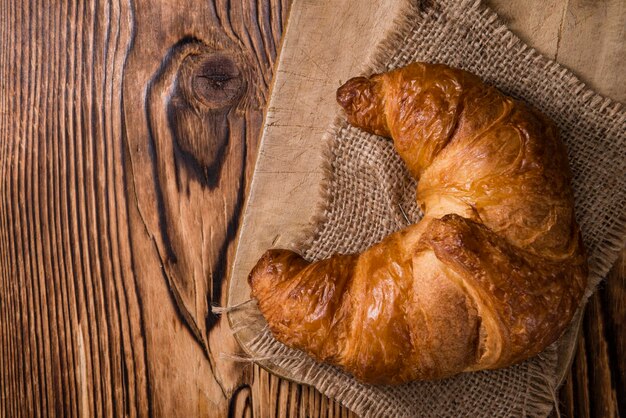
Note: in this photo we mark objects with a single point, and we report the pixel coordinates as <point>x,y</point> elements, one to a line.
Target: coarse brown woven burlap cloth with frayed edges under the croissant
<point>369,194</point>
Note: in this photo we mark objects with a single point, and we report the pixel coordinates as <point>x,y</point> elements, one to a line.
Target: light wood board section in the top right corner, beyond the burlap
<point>585,36</point>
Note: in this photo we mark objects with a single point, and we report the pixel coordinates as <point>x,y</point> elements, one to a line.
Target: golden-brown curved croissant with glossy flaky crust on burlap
<point>490,276</point>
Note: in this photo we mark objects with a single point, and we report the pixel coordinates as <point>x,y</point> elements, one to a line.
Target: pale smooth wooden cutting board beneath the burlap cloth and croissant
<point>283,199</point>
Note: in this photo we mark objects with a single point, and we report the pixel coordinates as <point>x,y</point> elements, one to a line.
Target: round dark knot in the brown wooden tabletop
<point>213,80</point>
